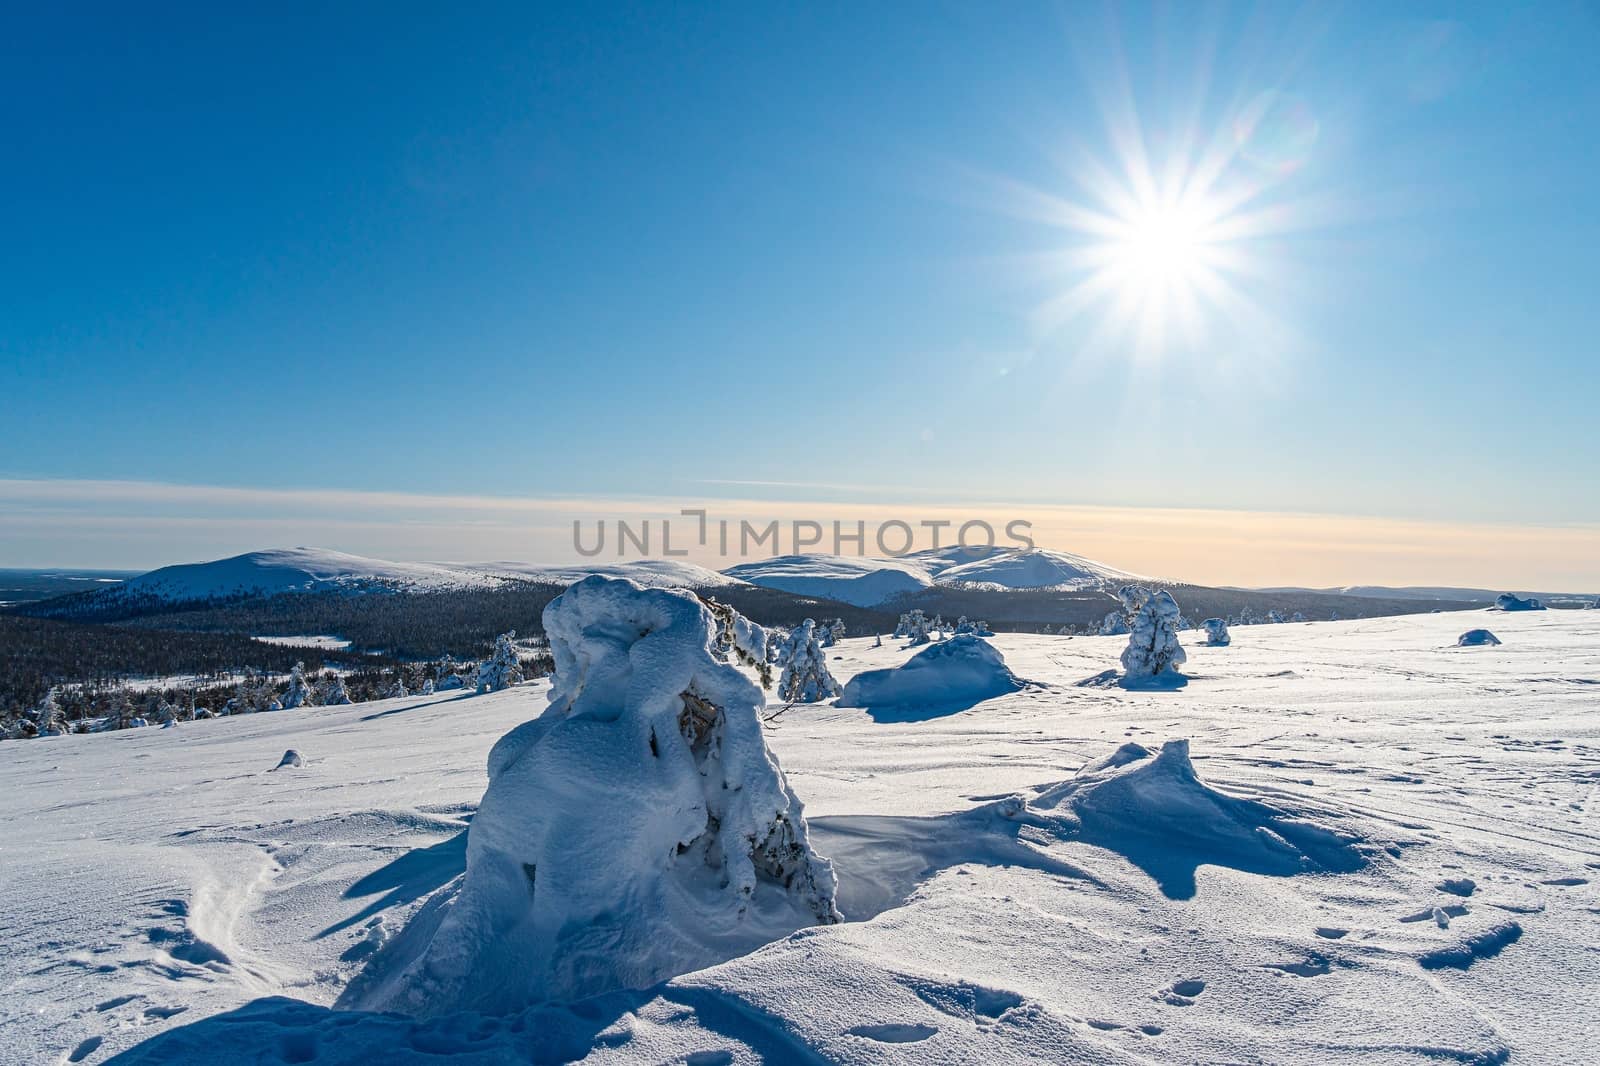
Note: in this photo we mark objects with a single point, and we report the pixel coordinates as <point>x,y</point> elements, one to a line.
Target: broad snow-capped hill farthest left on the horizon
<point>295,571</point>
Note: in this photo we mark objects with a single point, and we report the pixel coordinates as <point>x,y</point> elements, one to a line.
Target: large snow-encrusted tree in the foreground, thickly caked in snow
<point>636,830</point>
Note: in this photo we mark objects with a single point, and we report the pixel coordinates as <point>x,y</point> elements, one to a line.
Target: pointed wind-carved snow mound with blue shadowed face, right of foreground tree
<point>1156,811</point>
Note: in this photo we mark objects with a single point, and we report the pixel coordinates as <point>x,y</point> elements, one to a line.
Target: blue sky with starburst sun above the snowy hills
<point>1236,258</point>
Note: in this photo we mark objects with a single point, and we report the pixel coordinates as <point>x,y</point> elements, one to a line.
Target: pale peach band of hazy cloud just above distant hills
<point>175,524</point>
